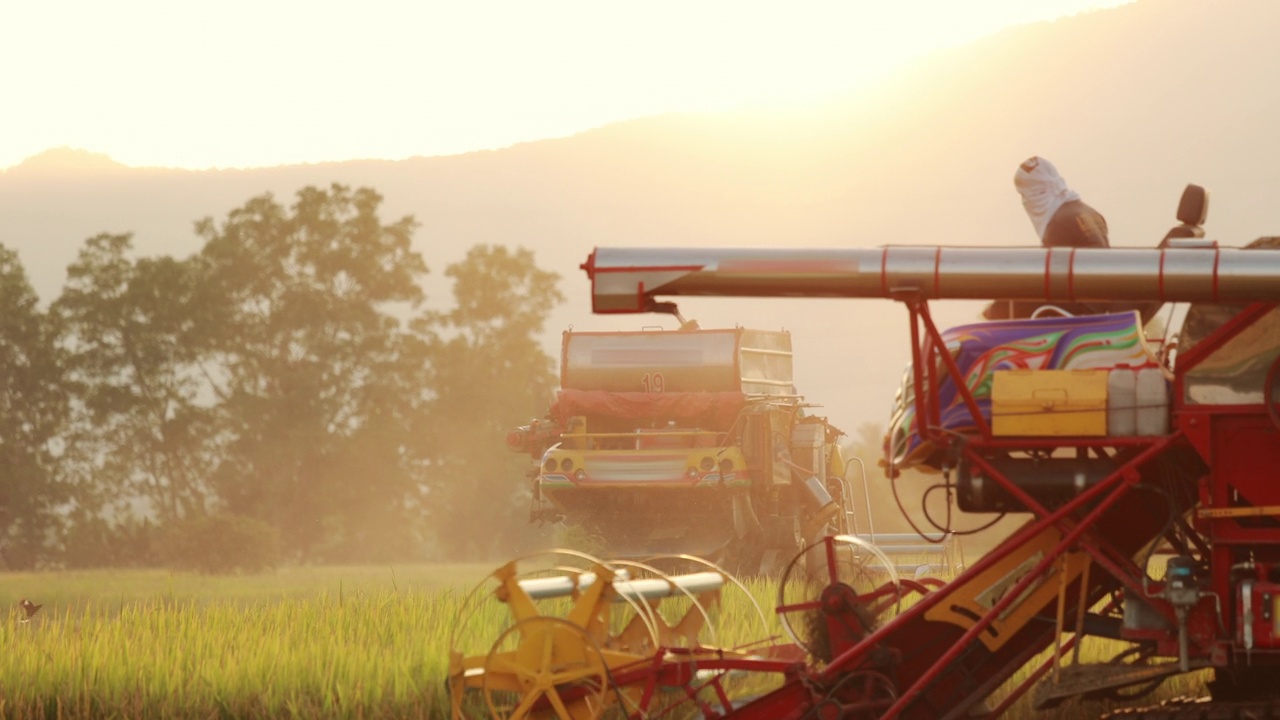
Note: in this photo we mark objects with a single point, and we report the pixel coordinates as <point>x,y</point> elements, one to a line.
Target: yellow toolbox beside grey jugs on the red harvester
<point>1049,403</point>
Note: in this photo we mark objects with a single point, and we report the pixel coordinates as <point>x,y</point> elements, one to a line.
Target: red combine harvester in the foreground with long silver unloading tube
<point>1151,479</point>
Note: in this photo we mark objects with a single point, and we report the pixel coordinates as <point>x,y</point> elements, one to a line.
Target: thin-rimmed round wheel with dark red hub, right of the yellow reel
<point>854,584</point>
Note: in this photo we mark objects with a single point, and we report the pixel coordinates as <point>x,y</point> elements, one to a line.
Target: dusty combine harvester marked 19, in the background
<point>689,441</point>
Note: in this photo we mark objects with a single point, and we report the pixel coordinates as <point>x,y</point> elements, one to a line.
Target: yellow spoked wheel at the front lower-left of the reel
<point>546,668</point>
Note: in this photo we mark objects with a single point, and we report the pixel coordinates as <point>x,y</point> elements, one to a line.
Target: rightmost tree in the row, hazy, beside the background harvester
<point>491,375</point>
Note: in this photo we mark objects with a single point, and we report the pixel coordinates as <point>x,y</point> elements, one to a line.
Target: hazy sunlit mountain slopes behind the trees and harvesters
<point>1131,104</point>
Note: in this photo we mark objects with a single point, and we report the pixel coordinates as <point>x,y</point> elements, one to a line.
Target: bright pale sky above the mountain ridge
<point>200,84</point>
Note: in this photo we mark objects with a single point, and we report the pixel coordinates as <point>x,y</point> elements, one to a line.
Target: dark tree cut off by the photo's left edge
<point>33,413</point>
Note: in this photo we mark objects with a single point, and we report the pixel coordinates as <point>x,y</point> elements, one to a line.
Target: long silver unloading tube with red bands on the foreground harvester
<point>627,280</point>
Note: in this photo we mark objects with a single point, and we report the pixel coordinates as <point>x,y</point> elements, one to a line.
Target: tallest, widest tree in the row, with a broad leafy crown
<point>317,381</point>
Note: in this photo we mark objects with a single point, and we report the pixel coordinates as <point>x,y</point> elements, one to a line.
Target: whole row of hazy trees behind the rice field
<point>282,395</point>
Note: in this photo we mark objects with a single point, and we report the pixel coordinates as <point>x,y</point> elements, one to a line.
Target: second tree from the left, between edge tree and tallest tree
<point>144,430</point>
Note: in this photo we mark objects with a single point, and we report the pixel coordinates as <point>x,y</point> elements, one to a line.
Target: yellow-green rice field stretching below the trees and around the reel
<point>327,642</point>
